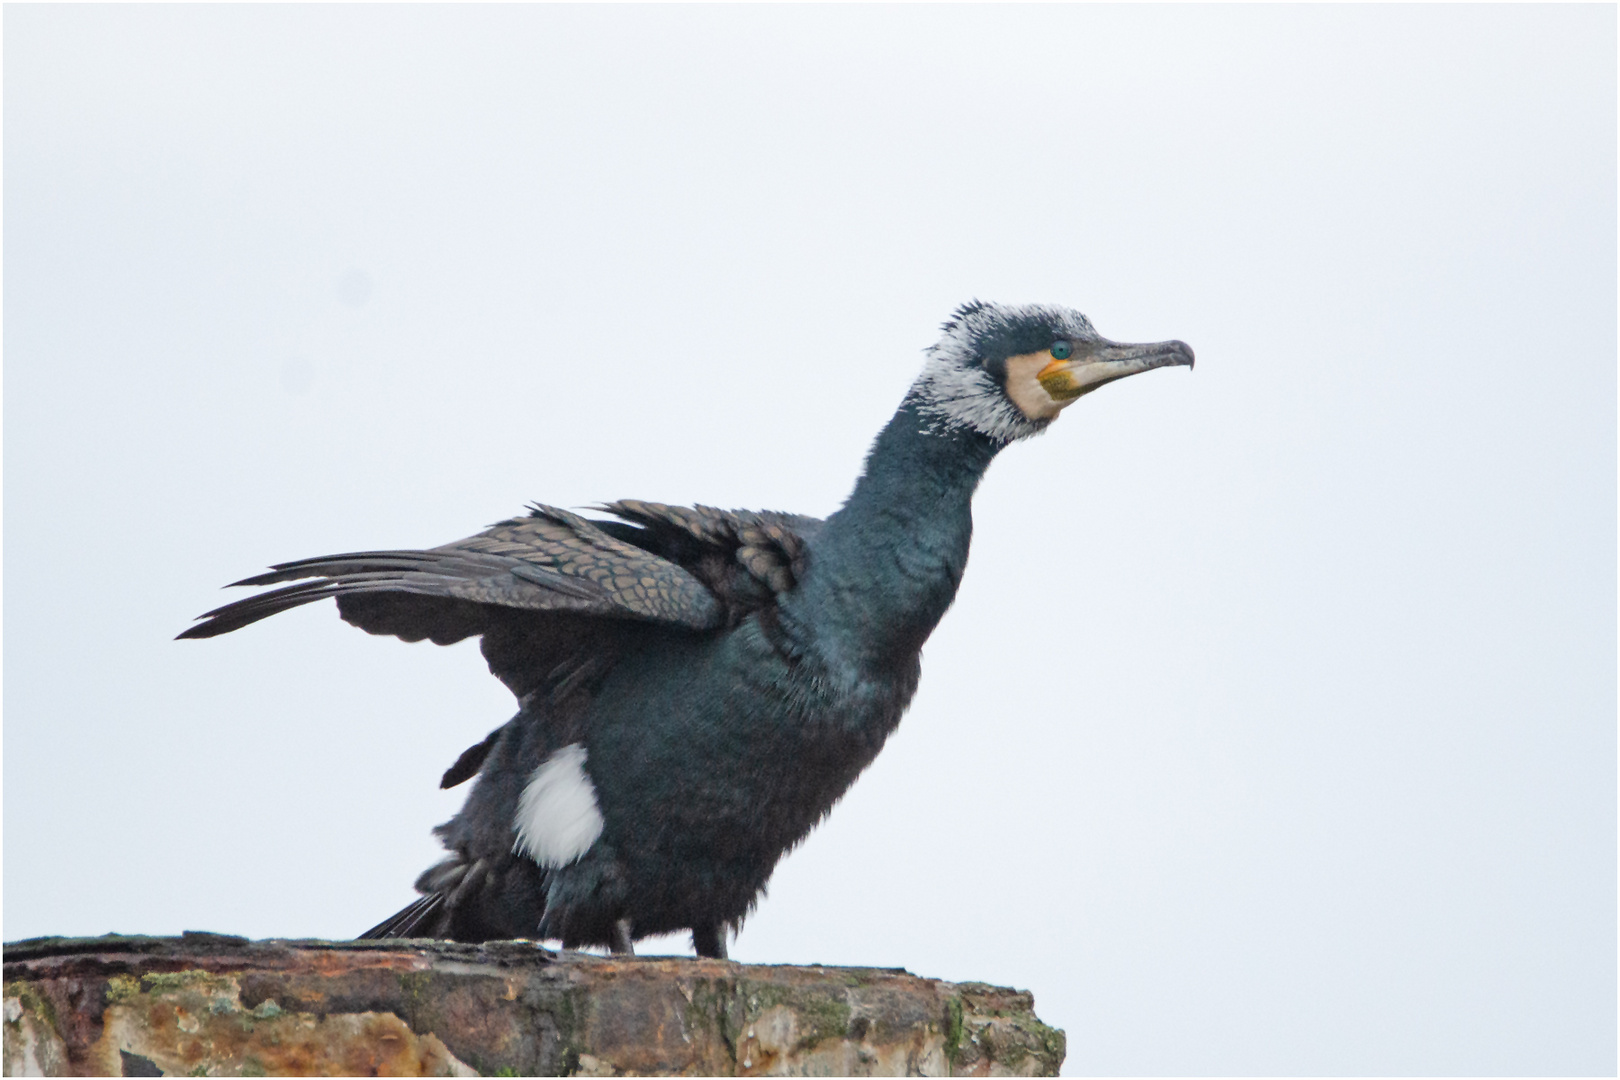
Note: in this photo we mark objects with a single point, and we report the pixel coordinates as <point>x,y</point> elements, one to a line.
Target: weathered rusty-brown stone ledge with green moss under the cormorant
<point>208,1005</point>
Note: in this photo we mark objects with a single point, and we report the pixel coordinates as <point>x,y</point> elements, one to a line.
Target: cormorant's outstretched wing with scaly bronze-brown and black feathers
<point>553,595</point>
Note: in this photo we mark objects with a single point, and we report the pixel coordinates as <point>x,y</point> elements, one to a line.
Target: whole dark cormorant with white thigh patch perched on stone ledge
<point>697,687</point>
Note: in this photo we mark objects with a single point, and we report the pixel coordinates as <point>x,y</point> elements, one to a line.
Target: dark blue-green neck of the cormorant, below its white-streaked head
<point>887,566</point>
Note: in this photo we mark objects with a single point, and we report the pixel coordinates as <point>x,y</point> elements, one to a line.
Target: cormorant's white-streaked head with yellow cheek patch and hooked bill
<point>1008,370</point>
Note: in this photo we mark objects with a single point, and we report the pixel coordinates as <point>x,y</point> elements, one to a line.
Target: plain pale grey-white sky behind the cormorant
<point>1274,729</point>
